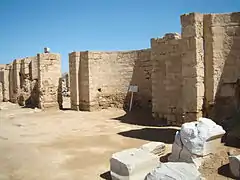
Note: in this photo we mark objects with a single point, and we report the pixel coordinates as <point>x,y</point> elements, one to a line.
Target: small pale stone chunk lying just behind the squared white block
<point>157,148</point>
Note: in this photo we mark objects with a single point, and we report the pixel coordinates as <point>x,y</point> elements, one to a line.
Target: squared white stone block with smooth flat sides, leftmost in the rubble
<point>132,164</point>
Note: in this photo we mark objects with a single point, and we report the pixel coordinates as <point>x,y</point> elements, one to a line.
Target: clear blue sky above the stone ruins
<point>27,26</point>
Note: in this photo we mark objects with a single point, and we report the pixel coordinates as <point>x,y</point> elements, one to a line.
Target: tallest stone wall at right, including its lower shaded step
<point>208,59</point>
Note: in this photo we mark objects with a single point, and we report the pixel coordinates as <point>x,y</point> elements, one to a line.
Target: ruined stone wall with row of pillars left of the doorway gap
<point>32,81</point>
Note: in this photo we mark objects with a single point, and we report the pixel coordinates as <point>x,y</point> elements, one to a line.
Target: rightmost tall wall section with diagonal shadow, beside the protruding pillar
<point>222,57</point>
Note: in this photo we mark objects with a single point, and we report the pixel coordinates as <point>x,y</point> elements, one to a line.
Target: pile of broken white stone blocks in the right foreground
<point>193,143</point>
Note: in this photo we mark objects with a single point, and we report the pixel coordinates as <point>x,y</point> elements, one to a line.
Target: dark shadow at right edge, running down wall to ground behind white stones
<point>225,110</point>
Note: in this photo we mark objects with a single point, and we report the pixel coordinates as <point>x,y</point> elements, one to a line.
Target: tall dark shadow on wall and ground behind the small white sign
<point>141,112</point>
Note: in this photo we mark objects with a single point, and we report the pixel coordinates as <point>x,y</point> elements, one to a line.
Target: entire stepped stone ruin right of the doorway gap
<point>181,77</point>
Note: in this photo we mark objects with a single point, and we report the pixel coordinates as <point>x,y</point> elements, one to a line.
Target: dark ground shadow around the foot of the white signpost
<point>140,117</point>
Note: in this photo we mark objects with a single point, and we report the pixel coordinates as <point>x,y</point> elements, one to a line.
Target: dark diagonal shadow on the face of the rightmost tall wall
<point>227,101</point>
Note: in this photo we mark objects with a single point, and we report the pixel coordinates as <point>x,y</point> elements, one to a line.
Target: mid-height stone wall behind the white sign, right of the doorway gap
<point>103,79</point>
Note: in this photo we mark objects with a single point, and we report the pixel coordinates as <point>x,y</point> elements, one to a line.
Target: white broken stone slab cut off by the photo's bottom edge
<point>174,171</point>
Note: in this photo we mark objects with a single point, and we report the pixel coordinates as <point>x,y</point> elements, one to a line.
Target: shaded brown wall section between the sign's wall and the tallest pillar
<point>167,78</point>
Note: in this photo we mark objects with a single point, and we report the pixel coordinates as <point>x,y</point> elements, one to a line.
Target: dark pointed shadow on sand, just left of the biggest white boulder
<point>165,135</point>
